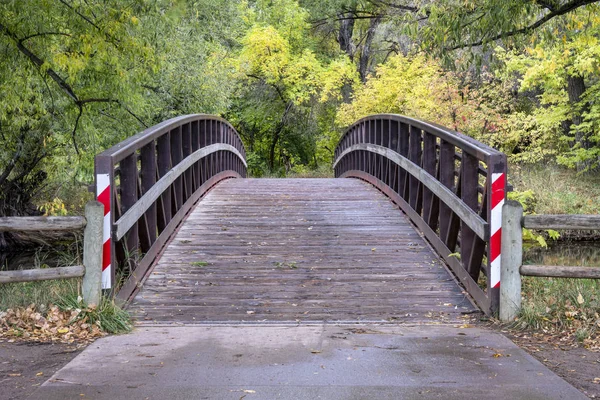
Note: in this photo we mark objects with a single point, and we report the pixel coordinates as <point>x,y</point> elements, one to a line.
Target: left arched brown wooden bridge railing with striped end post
<point>149,182</point>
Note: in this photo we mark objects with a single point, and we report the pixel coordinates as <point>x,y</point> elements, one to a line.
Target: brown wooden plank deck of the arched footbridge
<point>285,250</point>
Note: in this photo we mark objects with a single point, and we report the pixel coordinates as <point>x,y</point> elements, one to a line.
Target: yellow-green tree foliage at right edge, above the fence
<point>565,124</point>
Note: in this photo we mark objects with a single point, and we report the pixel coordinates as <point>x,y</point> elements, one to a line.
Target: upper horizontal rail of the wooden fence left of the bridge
<point>37,224</point>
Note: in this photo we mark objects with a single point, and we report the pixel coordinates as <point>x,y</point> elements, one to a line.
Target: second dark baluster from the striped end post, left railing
<point>148,230</point>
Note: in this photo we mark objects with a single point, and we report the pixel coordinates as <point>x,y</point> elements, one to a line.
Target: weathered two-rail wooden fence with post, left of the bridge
<point>91,270</point>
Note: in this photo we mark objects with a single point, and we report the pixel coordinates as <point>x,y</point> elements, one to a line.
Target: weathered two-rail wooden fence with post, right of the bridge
<point>513,222</point>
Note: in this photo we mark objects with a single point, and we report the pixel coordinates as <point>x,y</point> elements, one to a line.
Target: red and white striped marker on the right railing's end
<point>498,193</point>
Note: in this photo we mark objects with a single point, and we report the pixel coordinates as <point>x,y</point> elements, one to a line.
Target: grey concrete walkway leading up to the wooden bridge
<point>306,362</point>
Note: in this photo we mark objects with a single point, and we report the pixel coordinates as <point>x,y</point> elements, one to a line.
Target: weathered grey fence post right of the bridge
<point>512,258</point>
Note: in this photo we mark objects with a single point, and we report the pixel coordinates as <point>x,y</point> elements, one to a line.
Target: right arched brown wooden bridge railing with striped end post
<point>451,186</point>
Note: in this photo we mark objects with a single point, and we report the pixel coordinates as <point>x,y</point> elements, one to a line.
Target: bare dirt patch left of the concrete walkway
<point>25,366</point>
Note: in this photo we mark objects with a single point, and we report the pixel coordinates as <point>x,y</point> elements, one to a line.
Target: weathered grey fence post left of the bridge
<point>92,252</point>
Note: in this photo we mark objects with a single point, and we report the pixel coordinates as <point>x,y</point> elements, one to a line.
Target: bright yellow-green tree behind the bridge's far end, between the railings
<point>283,85</point>
